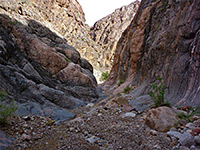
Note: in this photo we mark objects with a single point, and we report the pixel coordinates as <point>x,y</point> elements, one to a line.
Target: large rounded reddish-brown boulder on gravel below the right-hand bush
<point>161,118</point>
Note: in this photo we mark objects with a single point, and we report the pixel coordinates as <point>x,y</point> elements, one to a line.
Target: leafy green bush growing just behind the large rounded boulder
<point>158,93</point>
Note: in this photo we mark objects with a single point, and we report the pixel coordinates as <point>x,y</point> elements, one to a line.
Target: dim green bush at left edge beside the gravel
<point>6,110</point>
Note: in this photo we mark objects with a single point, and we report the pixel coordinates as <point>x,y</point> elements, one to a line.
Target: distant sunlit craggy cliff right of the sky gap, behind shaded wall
<point>107,31</point>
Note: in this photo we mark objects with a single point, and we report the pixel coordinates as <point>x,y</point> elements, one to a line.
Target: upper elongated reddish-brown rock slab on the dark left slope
<point>42,53</point>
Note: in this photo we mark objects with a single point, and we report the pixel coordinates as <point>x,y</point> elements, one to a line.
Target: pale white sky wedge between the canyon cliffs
<point>97,9</point>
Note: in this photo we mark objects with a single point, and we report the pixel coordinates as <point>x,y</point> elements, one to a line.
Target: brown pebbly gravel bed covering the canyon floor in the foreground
<point>96,127</point>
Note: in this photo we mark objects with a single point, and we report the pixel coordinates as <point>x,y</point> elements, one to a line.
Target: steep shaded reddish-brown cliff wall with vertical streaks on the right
<point>162,40</point>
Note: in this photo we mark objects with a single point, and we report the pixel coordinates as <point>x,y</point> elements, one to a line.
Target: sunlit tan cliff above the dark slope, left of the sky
<point>64,17</point>
